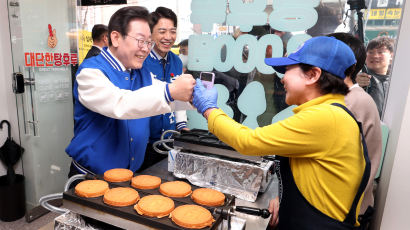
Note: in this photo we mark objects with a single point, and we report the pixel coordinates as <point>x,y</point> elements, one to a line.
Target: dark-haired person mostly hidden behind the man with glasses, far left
<point>99,35</point>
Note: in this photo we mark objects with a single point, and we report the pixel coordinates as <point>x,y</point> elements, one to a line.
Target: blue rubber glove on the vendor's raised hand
<point>204,98</point>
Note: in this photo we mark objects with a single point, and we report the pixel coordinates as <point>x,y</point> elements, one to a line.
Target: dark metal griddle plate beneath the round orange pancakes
<point>129,212</point>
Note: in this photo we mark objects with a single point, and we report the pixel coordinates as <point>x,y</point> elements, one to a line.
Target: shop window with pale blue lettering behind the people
<point>233,37</point>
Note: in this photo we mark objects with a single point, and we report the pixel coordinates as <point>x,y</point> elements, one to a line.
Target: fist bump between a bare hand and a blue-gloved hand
<point>184,88</point>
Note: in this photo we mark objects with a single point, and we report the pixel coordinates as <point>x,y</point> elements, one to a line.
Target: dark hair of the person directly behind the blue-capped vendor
<point>358,49</point>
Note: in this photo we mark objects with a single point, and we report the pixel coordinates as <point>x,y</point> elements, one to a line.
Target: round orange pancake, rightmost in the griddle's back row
<point>208,197</point>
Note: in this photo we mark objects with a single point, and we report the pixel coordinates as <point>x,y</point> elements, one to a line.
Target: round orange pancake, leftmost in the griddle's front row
<point>91,188</point>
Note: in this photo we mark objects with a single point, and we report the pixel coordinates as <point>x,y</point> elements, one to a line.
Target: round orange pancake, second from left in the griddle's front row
<point>121,196</point>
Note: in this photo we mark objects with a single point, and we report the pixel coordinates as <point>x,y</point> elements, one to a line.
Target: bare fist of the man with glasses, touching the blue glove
<point>181,89</point>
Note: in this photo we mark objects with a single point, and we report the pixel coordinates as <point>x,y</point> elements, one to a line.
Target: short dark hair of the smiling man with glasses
<point>120,20</point>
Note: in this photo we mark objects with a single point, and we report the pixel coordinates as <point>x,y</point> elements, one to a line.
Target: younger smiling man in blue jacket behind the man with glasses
<point>165,66</point>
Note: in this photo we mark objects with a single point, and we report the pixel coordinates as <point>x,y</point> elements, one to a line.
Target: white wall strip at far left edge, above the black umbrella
<point>7,100</point>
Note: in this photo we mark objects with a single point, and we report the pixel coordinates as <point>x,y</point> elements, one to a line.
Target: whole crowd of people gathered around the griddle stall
<point>131,88</point>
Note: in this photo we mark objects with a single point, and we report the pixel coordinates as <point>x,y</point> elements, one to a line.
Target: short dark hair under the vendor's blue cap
<point>329,83</point>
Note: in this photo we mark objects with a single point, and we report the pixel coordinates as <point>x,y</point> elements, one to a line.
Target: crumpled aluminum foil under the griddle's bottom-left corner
<point>71,221</point>
